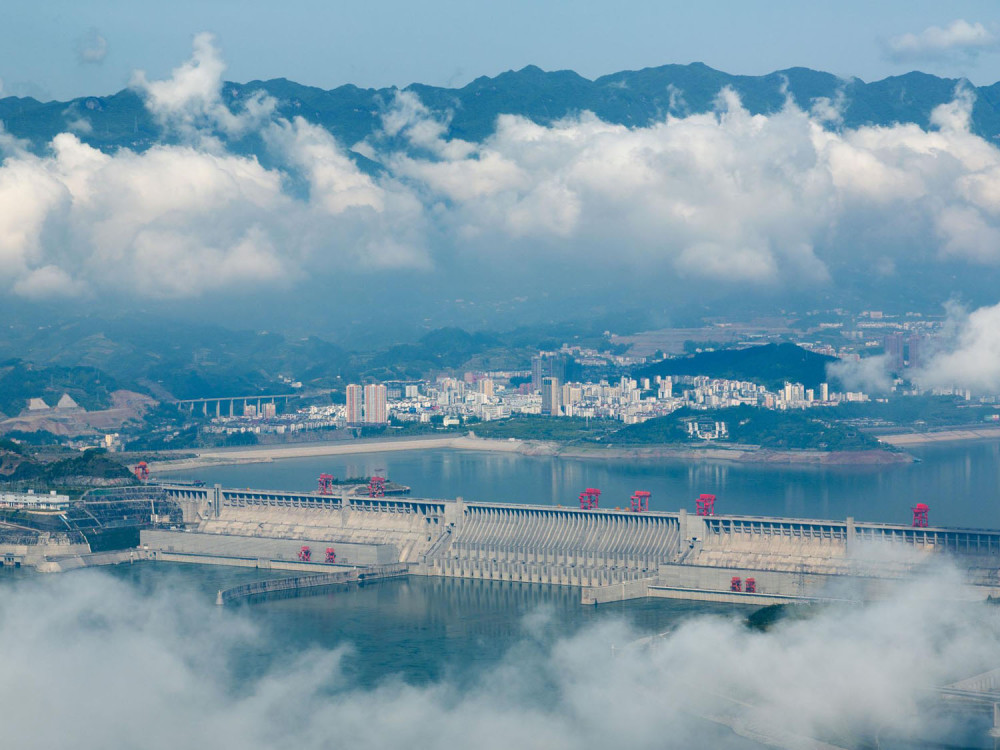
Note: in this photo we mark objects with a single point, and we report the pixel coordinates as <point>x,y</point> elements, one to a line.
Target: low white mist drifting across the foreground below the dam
<point>125,659</point>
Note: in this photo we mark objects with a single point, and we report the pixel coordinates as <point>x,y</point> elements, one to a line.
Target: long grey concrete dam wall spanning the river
<point>611,554</point>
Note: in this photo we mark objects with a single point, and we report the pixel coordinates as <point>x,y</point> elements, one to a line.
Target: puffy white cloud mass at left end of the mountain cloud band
<point>176,221</point>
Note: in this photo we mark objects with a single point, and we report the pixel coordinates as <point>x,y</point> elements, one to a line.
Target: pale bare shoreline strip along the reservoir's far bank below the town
<point>710,452</point>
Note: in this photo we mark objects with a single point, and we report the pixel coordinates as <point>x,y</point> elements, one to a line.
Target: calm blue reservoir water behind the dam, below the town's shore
<point>960,481</point>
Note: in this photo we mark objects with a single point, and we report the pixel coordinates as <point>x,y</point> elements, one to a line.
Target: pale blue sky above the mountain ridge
<point>65,48</point>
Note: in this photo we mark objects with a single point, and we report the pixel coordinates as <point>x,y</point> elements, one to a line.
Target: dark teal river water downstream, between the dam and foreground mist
<point>418,629</point>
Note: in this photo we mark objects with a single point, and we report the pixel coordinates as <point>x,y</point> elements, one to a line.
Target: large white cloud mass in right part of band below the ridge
<point>723,195</point>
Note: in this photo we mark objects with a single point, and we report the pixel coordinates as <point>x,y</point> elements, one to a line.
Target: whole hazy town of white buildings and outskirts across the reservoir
<point>549,388</point>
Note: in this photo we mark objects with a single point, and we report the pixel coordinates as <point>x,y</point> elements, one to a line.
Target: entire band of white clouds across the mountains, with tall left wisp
<point>770,201</point>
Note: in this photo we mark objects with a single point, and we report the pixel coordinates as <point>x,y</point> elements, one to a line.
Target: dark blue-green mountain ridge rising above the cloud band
<point>631,98</point>
